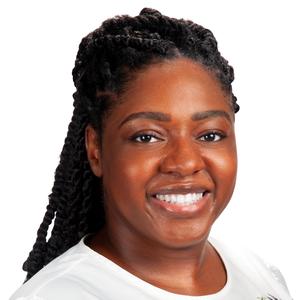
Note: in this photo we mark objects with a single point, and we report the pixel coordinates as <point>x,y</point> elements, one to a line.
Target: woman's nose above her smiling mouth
<point>183,158</point>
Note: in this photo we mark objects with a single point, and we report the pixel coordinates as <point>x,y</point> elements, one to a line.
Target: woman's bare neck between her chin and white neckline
<point>193,270</point>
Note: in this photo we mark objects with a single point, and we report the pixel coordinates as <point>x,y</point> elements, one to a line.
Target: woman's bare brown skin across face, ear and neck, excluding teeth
<point>182,142</point>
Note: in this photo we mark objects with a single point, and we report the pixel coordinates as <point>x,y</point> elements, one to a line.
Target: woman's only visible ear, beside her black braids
<point>93,150</point>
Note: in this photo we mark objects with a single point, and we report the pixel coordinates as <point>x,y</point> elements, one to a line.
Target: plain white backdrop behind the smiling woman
<point>39,42</point>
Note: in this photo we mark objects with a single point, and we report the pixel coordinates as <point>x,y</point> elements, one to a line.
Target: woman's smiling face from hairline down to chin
<point>168,156</point>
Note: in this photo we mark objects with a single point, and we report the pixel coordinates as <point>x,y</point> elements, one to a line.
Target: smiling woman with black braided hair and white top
<point>148,165</point>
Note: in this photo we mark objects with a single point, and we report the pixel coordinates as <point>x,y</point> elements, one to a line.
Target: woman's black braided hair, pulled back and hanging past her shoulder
<point>107,59</point>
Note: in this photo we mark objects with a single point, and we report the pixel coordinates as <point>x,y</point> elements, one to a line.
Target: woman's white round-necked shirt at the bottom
<point>81,273</point>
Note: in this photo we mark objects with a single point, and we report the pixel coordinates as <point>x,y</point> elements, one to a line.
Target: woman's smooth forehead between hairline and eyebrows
<point>177,87</point>
